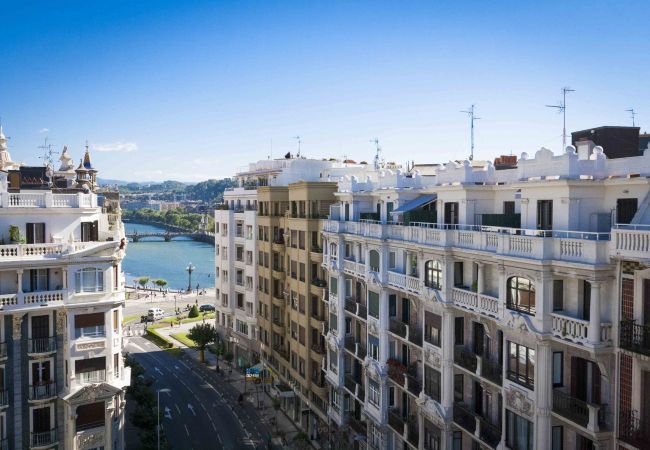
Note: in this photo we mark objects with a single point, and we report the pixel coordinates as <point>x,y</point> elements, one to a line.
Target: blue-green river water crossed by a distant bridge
<point>154,258</point>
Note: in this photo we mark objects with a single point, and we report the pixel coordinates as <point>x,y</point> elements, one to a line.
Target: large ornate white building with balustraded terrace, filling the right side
<point>477,308</point>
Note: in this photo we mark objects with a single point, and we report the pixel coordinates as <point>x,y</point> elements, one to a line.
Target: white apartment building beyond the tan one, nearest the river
<point>236,248</point>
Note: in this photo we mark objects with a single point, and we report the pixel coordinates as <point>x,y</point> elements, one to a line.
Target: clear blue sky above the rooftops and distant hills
<point>194,90</point>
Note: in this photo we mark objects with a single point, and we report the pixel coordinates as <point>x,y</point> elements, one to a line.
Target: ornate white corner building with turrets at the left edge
<point>62,377</point>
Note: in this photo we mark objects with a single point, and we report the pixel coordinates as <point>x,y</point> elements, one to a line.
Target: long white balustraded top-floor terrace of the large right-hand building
<point>573,246</point>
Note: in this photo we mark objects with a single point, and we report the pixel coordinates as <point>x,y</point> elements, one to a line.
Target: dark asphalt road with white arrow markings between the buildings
<point>201,411</point>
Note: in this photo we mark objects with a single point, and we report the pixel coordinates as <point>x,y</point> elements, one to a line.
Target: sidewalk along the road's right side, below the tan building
<point>235,378</point>
